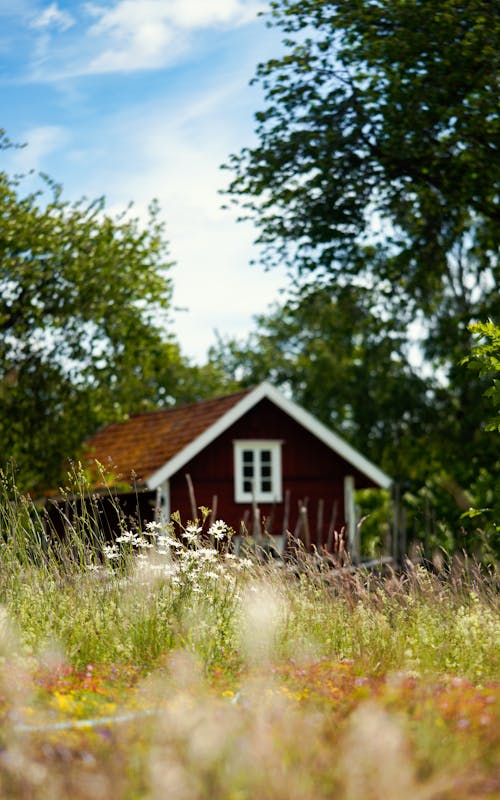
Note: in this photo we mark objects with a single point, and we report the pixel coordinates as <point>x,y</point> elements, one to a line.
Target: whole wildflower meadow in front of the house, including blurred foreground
<point>163,666</point>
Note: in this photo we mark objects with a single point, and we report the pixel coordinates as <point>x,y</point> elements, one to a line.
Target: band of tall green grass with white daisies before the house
<point>166,589</point>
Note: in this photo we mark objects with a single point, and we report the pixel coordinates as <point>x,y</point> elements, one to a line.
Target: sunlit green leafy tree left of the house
<point>84,303</point>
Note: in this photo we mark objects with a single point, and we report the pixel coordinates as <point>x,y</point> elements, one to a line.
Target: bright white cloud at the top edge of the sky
<point>144,34</point>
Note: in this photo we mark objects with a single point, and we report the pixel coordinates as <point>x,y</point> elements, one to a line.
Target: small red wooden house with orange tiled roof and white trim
<point>252,450</point>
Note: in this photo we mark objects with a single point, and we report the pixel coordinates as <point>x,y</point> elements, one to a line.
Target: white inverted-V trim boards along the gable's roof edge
<point>300,415</point>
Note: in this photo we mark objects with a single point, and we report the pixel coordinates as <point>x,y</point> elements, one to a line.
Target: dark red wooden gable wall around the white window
<point>310,470</point>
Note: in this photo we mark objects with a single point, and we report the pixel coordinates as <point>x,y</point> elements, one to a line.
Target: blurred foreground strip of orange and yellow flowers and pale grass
<point>405,736</point>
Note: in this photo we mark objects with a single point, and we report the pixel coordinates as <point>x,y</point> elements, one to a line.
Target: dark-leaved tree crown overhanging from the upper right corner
<point>378,152</point>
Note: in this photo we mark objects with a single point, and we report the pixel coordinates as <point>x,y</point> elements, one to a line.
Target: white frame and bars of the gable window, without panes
<point>257,446</point>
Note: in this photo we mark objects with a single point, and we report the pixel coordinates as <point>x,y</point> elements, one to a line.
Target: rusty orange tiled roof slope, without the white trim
<point>144,443</point>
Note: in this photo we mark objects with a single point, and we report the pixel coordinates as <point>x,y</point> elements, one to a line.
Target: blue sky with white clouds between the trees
<point>143,99</point>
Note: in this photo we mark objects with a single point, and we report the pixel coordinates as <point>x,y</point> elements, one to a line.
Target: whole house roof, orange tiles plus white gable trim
<point>155,445</point>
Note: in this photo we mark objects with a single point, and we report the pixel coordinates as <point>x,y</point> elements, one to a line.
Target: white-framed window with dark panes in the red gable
<point>257,471</point>
